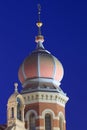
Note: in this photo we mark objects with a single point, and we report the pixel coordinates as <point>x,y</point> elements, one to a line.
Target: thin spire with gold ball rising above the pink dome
<point>39,38</point>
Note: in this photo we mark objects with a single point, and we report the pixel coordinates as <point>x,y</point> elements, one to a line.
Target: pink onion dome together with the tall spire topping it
<point>40,68</point>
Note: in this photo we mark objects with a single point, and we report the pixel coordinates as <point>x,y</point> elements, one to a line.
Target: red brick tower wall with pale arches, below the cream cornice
<point>39,108</point>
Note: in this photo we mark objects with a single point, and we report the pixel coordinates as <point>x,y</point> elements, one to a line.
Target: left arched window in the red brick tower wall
<point>32,122</point>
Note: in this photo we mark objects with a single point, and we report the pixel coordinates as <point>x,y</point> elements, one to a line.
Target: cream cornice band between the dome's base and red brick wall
<point>45,97</point>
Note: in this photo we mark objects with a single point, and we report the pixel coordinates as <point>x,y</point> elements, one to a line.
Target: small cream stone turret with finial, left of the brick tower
<point>15,111</point>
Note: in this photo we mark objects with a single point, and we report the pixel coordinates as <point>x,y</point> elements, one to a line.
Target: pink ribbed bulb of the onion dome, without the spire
<point>40,64</point>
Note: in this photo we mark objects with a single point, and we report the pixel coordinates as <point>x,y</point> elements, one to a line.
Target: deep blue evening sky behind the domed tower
<point>65,32</point>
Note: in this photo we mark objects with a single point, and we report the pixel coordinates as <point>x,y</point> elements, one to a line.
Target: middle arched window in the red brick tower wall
<point>48,122</point>
